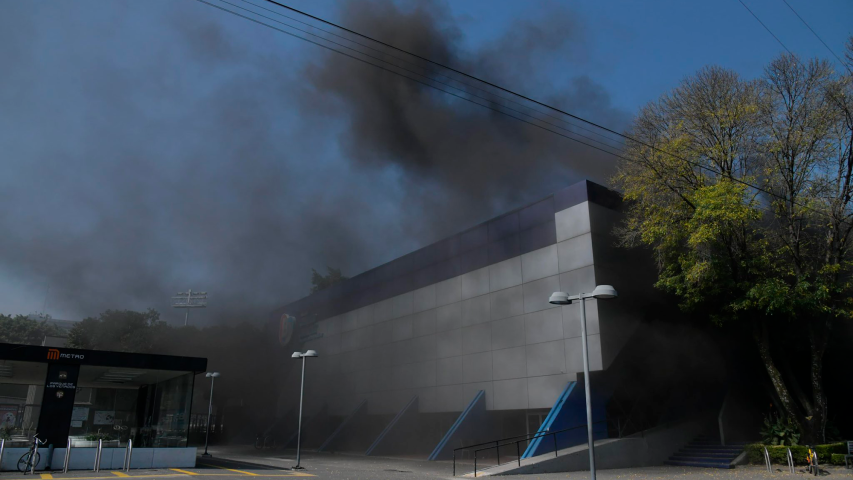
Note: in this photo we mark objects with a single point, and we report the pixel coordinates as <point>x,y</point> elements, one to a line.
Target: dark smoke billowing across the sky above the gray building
<point>149,147</point>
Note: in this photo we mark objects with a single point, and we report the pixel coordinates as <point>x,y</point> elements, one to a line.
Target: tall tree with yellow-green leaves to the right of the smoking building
<point>743,189</point>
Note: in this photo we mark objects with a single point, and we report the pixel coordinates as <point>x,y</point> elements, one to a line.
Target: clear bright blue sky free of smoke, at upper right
<point>640,49</point>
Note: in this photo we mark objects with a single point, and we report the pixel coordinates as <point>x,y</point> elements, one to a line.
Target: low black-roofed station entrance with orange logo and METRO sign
<point>89,395</point>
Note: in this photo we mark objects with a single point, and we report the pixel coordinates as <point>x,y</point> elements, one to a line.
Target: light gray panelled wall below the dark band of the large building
<point>488,329</point>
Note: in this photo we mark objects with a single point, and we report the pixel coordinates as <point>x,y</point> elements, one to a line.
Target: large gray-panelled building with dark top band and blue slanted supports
<point>412,349</point>
